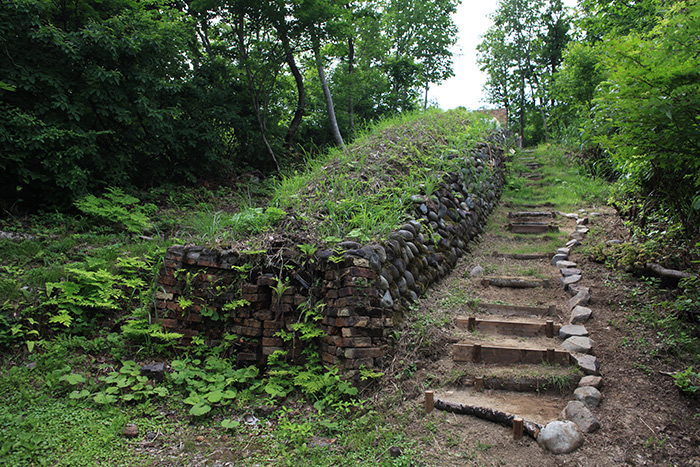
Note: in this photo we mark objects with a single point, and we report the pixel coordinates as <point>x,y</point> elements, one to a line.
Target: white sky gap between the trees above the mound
<point>466,87</point>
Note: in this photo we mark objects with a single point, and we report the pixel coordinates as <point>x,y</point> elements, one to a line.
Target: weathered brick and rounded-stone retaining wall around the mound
<point>359,292</point>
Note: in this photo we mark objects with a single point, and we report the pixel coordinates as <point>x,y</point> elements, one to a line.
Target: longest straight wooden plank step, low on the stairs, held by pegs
<point>477,353</point>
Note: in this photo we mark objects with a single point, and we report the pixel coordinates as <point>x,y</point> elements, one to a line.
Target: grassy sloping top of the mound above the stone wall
<point>363,193</point>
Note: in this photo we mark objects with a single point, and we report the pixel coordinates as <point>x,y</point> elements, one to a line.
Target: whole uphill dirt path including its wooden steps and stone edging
<point>537,336</point>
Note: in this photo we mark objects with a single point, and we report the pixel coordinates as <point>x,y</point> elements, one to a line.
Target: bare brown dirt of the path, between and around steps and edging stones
<point>643,418</point>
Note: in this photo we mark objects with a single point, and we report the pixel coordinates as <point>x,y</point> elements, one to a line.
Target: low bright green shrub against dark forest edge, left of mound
<point>118,208</point>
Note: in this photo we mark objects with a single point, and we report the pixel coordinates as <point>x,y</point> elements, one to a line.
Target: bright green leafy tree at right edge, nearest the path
<point>646,113</point>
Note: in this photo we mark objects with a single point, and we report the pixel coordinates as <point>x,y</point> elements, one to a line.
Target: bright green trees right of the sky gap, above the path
<point>618,80</point>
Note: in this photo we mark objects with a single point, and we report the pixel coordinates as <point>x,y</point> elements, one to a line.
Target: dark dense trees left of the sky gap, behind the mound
<point>128,92</point>
